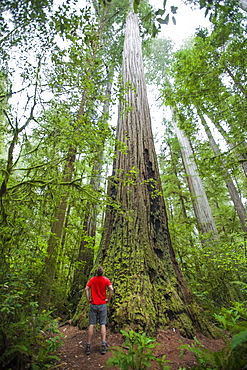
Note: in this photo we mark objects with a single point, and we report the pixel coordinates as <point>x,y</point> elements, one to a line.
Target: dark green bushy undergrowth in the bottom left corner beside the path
<point>26,336</point>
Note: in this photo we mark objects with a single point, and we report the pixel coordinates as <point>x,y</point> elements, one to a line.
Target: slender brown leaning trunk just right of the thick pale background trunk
<point>238,205</point>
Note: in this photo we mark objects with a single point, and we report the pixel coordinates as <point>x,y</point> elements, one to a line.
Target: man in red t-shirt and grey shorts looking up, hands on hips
<point>97,287</point>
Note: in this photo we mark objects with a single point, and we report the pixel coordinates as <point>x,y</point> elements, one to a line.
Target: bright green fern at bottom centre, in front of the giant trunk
<point>139,353</point>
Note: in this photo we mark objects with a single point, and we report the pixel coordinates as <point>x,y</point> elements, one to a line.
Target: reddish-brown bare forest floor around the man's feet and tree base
<point>72,352</point>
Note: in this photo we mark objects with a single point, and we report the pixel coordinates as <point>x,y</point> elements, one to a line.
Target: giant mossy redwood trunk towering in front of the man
<point>136,250</point>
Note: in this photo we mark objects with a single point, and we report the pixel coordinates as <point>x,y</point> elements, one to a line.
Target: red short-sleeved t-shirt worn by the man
<point>98,286</point>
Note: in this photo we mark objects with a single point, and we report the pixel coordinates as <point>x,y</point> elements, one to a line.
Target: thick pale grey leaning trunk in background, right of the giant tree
<point>204,217</point>
